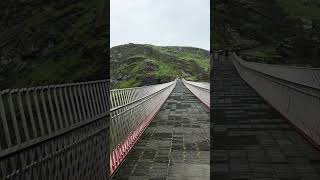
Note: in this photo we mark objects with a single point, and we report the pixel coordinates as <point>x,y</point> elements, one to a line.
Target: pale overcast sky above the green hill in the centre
<point>160,22</point>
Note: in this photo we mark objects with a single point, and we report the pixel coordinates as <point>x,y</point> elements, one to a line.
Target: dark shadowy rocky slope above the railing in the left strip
<point>47,42</point>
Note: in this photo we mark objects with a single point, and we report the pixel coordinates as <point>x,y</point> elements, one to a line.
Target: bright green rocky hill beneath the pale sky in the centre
<point>143,64</point>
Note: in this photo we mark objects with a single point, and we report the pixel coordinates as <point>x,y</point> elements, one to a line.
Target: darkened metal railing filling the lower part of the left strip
<point>55,132</point>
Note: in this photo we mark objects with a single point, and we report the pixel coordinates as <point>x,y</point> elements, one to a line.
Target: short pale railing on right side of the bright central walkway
<point>200,89</point>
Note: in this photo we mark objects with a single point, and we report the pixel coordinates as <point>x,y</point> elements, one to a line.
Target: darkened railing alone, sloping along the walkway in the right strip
<point>294,92</point>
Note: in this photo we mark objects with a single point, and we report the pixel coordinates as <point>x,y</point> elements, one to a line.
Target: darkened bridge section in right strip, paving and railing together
<point>265,120</point>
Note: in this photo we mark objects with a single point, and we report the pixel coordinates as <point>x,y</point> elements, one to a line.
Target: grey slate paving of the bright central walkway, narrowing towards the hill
<point>175,146</point>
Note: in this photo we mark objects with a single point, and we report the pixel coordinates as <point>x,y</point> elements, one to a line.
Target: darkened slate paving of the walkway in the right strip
<point>249,139</point>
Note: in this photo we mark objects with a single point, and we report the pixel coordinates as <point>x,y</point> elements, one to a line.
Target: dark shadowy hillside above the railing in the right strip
<point>273,31</point>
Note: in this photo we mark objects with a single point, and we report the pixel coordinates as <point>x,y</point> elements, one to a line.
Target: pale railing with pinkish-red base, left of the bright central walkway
<point>131,112</point>
